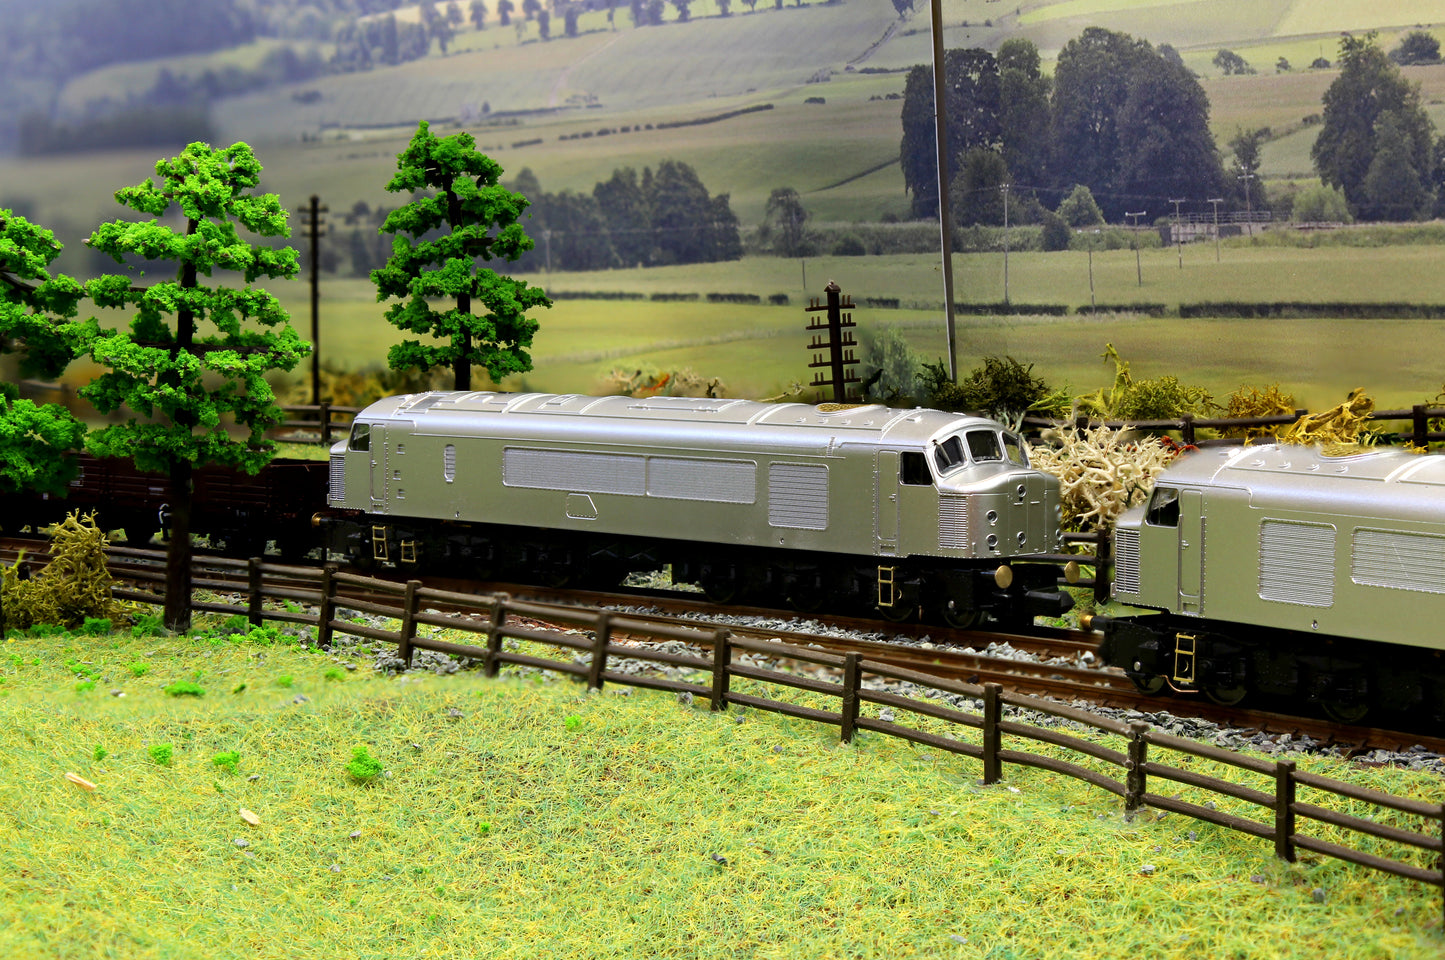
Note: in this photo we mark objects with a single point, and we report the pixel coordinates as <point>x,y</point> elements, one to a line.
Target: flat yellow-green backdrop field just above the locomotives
<point>761,351</point>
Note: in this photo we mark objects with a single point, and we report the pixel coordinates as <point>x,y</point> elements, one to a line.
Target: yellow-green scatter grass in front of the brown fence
<point>641,829</point>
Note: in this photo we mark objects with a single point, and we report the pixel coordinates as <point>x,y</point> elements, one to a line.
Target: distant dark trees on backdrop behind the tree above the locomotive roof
<point>655,219</point>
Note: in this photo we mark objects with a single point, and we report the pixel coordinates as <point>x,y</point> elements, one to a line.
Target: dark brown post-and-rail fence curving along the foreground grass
<point>1131,771</point>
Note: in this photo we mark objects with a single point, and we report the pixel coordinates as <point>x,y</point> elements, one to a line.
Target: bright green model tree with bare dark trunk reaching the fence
<point>184,384</point>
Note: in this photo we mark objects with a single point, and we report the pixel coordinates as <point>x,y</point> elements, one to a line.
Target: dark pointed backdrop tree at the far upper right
<point>1356,108</point>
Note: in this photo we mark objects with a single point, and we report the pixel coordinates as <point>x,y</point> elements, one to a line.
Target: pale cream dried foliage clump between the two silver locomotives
<point>1102,473</point>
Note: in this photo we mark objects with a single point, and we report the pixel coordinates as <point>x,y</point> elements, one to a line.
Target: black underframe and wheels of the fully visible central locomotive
<point>900,588</point>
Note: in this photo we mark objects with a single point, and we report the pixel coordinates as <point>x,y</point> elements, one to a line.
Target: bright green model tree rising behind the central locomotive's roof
<point>459,215</point>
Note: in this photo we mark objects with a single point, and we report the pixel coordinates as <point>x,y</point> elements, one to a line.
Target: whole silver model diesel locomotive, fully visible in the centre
<point>908,510</point>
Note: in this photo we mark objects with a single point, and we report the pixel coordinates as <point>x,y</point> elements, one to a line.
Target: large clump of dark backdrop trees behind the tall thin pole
<point>1122,118</point>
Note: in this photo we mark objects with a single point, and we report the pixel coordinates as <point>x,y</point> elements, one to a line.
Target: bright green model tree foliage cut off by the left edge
<point>38,323</point>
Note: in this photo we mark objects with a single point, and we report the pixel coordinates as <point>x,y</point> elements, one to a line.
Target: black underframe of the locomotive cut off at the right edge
<point>1347,679</point>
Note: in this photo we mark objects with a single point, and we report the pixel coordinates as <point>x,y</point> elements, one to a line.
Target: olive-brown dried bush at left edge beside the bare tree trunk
<point>72,589</point>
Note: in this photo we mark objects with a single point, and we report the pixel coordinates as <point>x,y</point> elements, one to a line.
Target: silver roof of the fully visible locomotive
<point>868,423</point>
